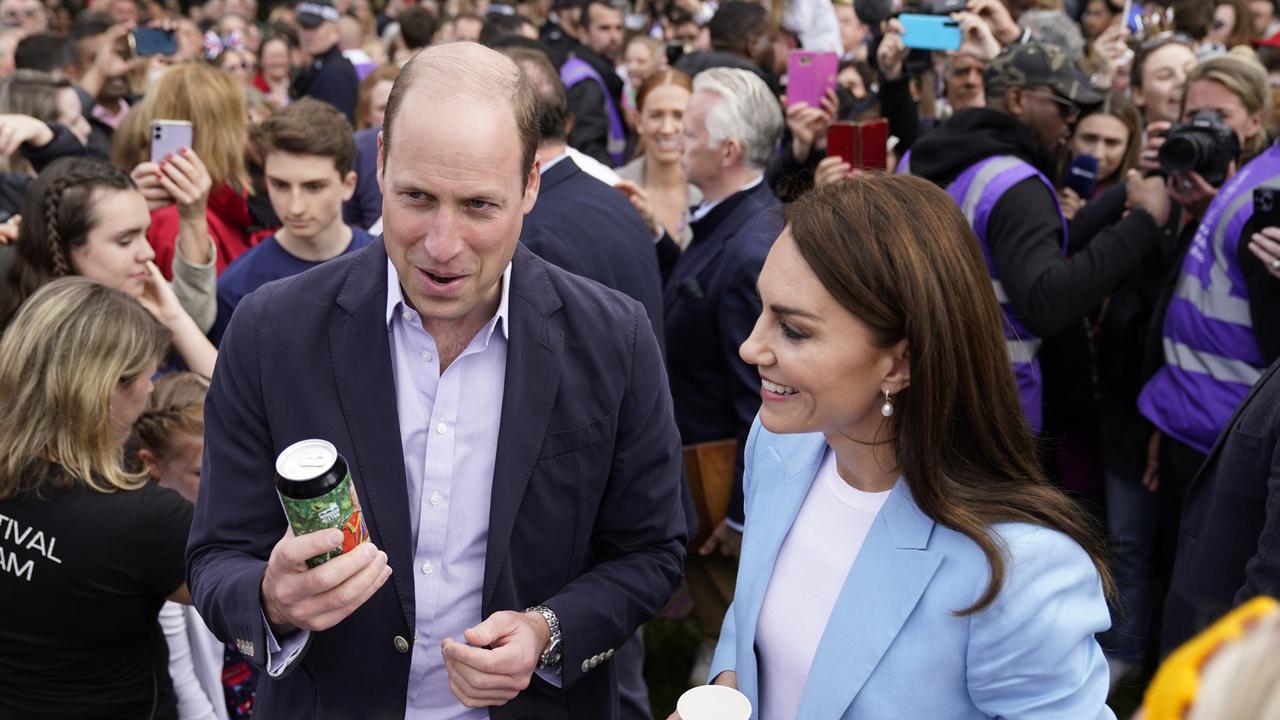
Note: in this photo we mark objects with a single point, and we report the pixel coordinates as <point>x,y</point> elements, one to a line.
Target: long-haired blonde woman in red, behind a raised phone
<point>213,102</point>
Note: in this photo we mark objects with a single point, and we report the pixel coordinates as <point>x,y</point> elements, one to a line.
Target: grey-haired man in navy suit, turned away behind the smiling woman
<point>711,306</point>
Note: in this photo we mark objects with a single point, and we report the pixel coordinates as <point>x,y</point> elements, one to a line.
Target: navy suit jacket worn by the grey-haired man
<point>711,307</point>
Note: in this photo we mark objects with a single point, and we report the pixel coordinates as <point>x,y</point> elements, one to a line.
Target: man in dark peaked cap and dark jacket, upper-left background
<point>331,76</point>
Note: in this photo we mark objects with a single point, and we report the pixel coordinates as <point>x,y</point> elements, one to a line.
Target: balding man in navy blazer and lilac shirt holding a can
<point>508,427</point>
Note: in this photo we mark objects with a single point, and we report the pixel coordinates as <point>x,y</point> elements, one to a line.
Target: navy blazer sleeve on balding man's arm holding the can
<point>239,518</point>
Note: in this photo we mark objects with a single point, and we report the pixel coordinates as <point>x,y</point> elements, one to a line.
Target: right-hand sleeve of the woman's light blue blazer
<point>1032,654</point>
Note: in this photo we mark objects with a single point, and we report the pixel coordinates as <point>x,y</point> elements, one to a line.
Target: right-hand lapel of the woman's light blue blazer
<point>885,584</point>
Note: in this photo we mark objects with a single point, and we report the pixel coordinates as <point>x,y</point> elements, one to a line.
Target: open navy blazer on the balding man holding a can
<point>586,516</point>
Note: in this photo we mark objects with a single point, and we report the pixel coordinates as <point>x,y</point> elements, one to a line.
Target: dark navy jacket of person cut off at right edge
<point>1229,539</point>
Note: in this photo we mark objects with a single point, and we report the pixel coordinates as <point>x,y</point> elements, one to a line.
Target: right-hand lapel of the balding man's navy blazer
<point>534,349</point>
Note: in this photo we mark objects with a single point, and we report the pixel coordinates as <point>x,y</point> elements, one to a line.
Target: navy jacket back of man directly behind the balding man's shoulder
<point>588,229</point>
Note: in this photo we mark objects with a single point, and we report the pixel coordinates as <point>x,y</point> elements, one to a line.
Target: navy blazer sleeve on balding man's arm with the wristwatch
<point>641,532</point>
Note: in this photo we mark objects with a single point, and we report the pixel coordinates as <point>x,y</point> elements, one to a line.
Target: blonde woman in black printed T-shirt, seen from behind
<point>90,550</point>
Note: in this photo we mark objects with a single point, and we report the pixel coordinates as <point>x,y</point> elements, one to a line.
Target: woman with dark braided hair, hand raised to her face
<point>88,218</point>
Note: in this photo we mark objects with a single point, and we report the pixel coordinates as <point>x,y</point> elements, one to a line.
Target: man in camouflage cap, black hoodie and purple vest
<point>998,162</point>
